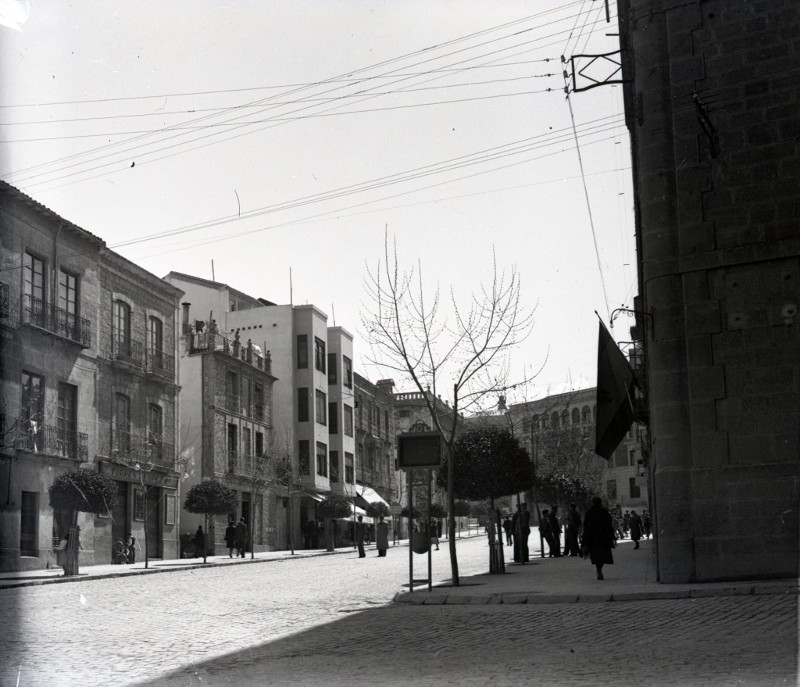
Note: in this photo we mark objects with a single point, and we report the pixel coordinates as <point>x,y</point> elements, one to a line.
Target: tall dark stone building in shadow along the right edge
<point>713,110</point>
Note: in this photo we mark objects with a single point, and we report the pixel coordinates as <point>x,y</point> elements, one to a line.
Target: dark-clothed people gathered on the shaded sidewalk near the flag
<point>594,535</point>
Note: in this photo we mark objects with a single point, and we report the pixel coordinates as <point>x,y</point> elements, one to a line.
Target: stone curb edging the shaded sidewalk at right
<point>422,598</point>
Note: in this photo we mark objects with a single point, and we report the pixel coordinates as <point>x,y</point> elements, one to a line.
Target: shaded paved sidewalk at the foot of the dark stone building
<point>574,579</point>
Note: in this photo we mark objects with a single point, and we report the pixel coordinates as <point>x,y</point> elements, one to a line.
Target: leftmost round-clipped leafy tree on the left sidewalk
<point>82,491</point>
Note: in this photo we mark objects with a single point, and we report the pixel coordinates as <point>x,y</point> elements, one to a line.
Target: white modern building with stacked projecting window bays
<point>313,387</point>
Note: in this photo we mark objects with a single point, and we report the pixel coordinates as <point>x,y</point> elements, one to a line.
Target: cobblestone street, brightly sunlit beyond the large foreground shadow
<point>328,621</point>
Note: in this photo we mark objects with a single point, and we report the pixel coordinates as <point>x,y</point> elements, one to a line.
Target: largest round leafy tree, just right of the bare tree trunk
<point>488,463</point>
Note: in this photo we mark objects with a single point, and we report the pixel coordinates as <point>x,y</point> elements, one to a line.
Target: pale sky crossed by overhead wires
<point>272,146</point>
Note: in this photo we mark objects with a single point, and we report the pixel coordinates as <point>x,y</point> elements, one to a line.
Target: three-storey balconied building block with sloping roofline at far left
<point>88,348</point>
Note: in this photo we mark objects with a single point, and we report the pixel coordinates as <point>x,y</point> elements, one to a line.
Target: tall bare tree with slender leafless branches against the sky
<point>467,351</point>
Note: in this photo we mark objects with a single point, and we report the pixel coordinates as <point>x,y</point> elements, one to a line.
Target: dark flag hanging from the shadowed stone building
<point>615,390</point>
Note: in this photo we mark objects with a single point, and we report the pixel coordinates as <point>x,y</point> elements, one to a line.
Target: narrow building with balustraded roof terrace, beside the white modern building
<point>226,426</point>
